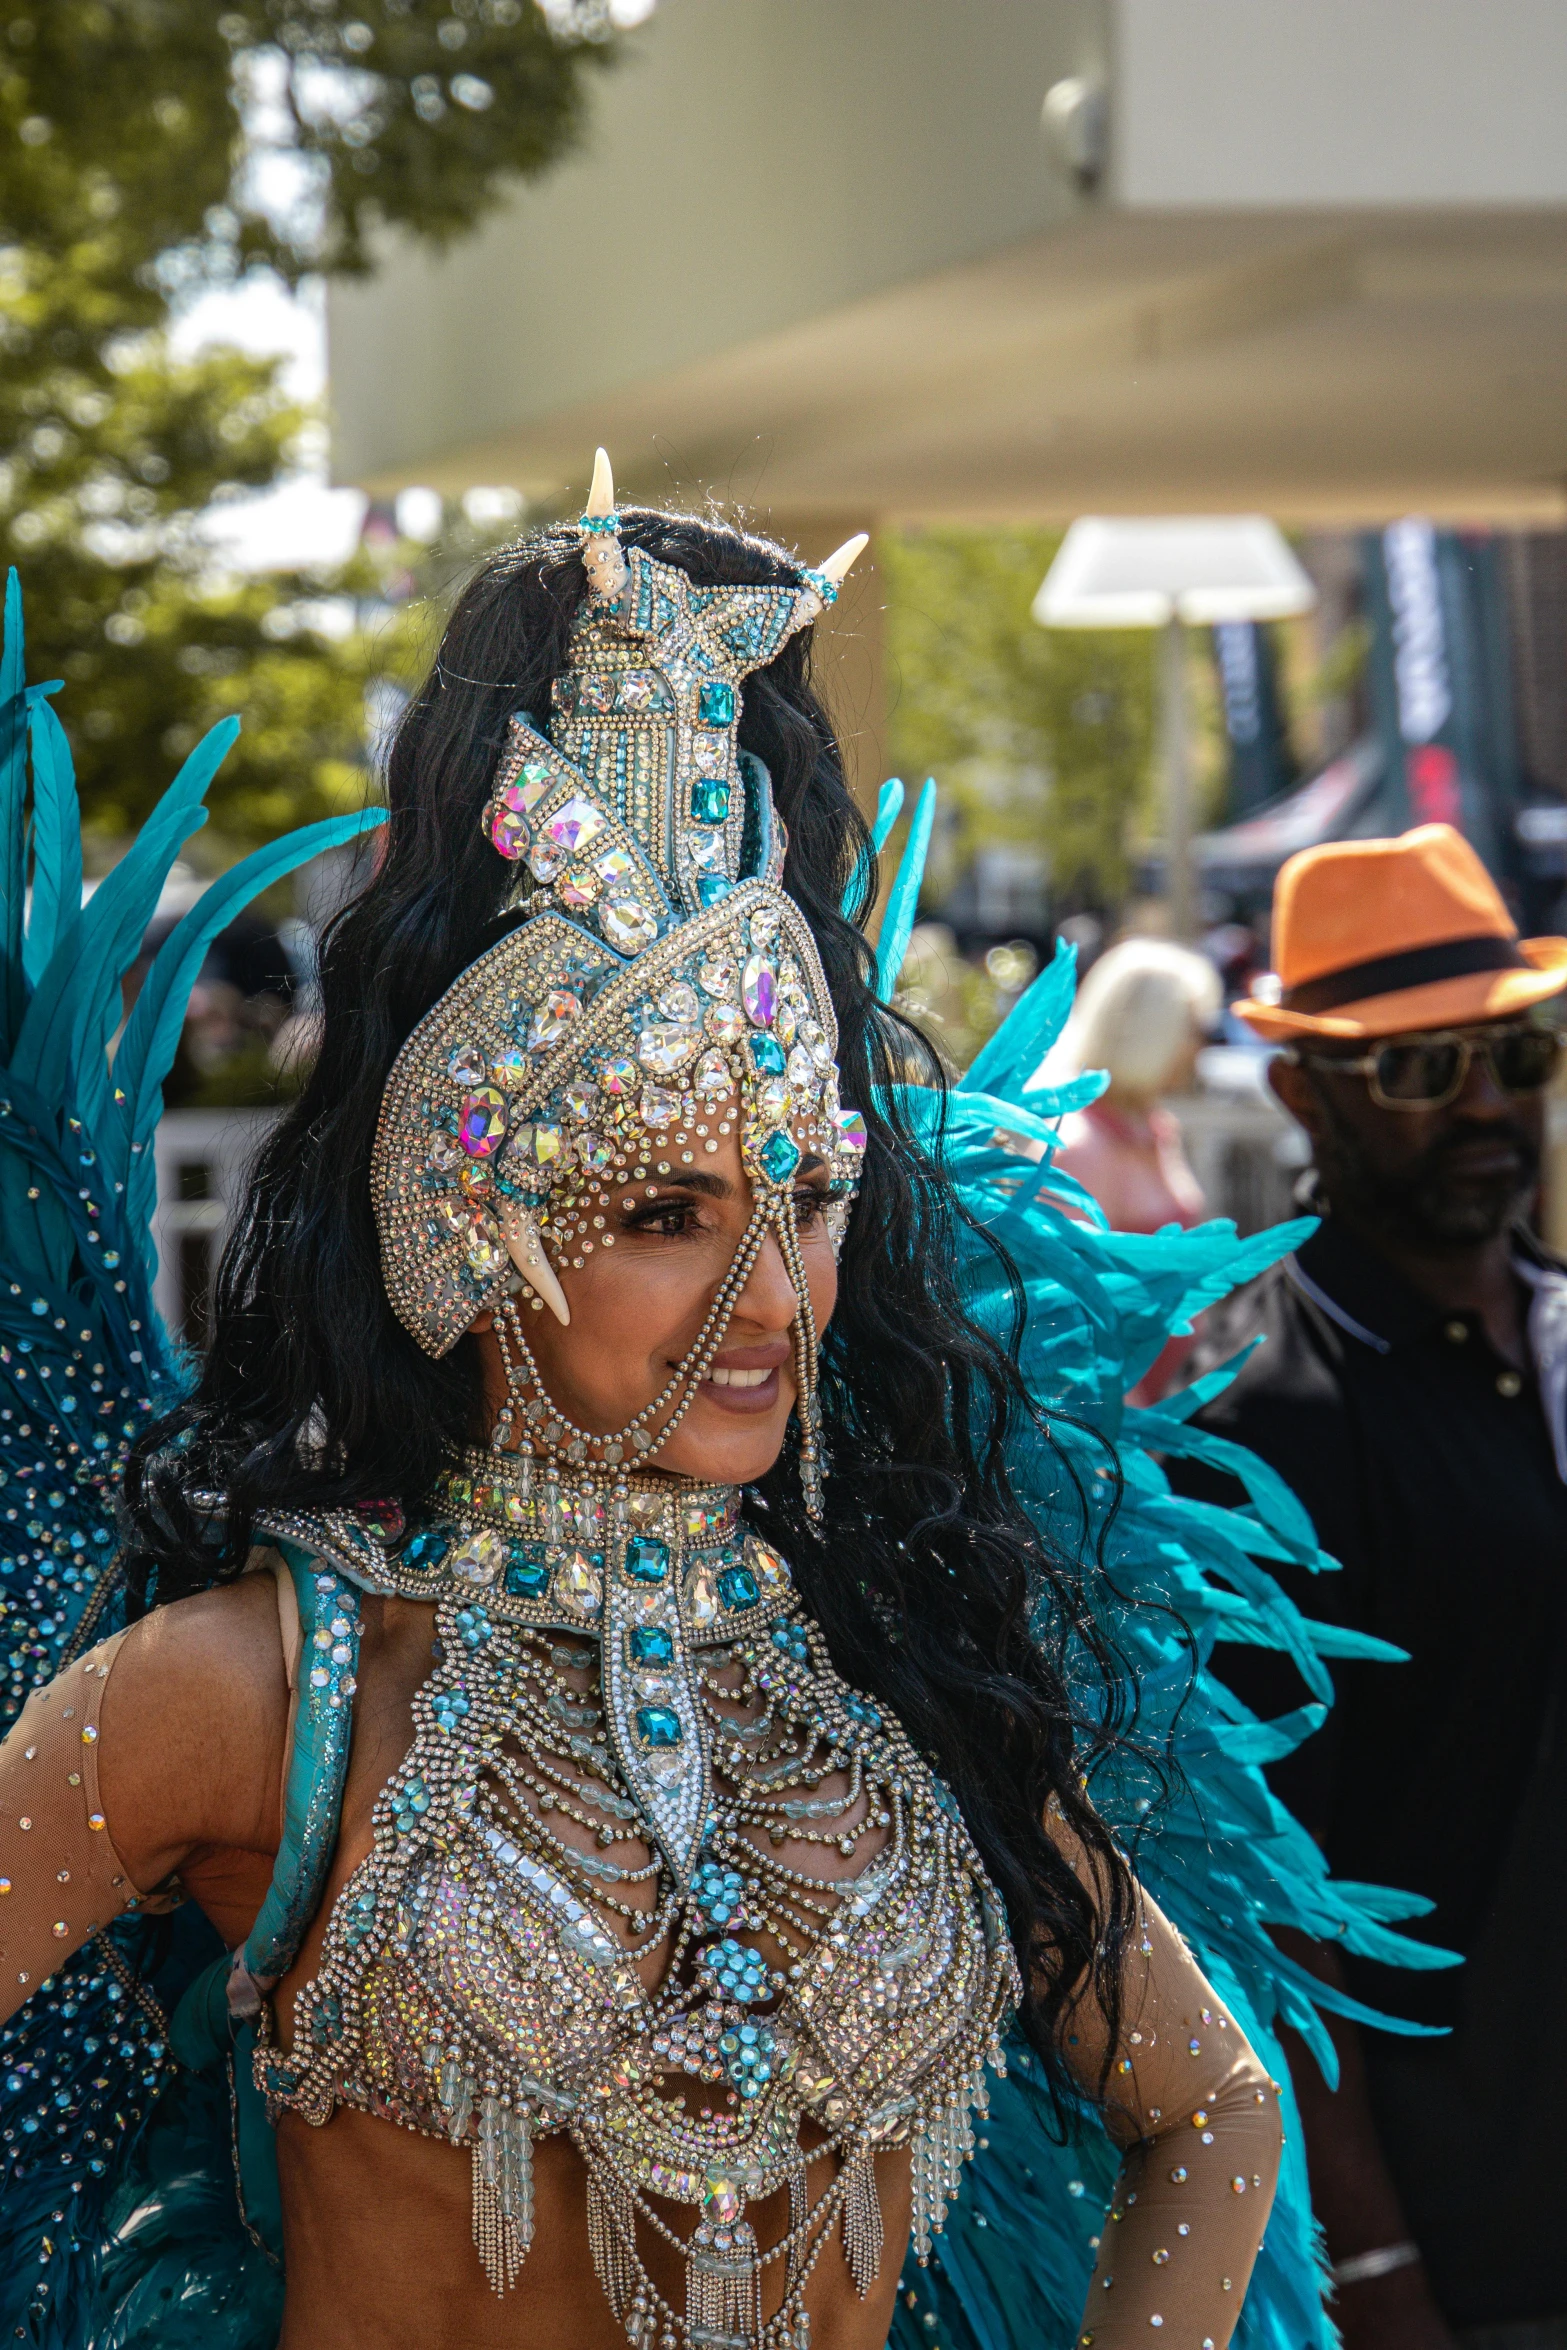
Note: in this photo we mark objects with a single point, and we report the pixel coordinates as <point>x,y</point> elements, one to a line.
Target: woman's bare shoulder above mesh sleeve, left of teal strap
<point>194,1731</point>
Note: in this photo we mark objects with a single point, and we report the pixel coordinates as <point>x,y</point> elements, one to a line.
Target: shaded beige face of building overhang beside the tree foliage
<point>748,166</point>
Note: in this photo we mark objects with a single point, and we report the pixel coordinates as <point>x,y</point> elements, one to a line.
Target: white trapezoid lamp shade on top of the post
<point>1195,568</point>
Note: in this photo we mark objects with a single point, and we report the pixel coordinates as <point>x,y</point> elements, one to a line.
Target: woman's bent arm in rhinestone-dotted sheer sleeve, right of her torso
<point>1202,2130</point>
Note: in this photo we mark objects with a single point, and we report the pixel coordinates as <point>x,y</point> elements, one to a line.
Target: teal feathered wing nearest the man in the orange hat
<point>1216,1848</point>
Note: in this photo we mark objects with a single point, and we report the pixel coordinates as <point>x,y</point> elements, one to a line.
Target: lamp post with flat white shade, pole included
<point>1169,575</point>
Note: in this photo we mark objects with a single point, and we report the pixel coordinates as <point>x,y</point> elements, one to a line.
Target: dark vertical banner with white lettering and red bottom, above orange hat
<point>1441,690</point>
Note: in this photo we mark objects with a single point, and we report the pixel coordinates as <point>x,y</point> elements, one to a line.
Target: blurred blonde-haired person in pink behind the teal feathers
<point>1143,1014</point>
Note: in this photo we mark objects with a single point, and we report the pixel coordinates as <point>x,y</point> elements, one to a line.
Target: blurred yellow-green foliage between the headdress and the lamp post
<point>1037,737</point>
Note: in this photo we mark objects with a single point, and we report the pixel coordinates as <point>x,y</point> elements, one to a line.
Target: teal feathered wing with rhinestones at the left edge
<point>116,2194</point>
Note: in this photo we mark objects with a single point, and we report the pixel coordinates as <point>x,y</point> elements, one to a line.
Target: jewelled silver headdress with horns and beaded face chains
<point>659,998</point>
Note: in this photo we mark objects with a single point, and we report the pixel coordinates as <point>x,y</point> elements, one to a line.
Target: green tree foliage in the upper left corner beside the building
<point>154,147</point>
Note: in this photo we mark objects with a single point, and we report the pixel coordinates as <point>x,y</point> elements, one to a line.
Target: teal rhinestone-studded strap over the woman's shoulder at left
<point>215,2022</point>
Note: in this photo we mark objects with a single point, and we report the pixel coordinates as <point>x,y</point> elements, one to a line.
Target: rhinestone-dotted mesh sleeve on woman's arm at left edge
<point>60,1872</point>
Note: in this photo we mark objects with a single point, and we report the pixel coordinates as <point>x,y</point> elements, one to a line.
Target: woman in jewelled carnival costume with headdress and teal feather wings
<point>624,1717</point>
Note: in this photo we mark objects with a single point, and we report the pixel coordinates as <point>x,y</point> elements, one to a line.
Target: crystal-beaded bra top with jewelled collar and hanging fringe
<point>640,1665</point>
